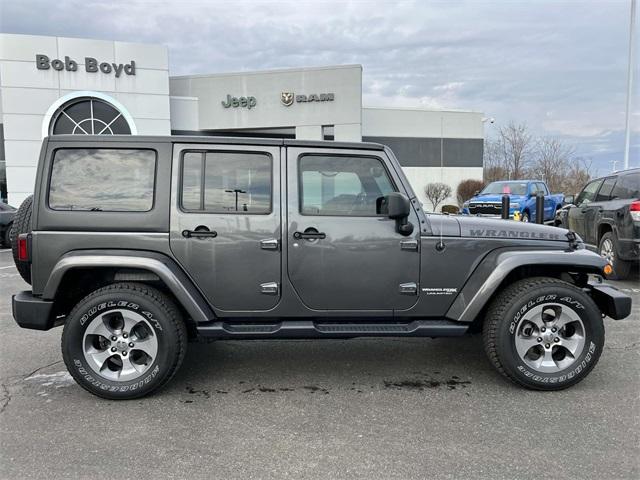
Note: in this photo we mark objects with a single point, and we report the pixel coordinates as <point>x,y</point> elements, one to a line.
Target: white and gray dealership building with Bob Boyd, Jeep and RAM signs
<point>57,85</point>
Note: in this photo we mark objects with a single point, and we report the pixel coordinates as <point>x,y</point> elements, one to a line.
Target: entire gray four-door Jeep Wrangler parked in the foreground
<point>137,245</point>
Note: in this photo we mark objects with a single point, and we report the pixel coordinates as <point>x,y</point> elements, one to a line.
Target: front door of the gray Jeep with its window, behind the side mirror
<point>341,254</point>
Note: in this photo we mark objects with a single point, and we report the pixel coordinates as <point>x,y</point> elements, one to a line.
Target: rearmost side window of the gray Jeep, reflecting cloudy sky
<point>102,180</point>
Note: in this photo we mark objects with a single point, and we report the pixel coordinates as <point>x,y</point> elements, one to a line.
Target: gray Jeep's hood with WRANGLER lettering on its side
<point>471,226</point>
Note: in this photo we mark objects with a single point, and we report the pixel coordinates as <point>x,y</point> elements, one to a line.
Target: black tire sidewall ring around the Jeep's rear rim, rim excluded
<point>88,310</point>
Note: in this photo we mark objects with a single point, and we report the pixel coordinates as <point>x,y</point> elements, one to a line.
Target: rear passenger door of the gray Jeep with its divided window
<point>225,224</point>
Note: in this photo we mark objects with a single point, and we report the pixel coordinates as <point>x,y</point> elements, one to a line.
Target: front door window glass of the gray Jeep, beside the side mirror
<point>342,185</point>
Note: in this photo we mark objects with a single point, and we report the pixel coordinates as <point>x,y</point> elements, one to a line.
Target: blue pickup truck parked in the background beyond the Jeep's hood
<point>522,198</point>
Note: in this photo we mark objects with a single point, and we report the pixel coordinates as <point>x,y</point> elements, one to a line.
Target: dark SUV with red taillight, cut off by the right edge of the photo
<point>606,215</point>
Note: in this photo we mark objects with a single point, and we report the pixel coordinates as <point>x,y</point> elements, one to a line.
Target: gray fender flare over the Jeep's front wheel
<point>488,276</point>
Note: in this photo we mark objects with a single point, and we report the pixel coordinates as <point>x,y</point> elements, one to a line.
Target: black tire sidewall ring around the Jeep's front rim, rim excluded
<point>594,337</point>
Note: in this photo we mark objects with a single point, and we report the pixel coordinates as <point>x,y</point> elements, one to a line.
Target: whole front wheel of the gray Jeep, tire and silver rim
<point>543,333</point>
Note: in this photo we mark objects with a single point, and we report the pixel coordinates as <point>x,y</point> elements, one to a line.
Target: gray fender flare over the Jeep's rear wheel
<point>184,290</point>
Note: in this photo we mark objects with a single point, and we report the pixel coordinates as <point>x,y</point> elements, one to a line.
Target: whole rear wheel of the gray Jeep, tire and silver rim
<point>124,341</point>
